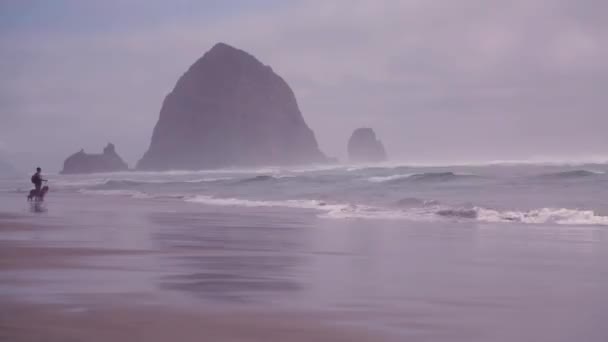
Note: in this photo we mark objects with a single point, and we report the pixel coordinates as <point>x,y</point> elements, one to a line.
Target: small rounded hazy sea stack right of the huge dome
<point>364,147</point>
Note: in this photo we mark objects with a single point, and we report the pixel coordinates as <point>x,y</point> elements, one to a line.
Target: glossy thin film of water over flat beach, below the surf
<point>435,281</point>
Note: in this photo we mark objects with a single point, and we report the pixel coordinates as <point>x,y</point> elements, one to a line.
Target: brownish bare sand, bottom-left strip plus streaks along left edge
<point>125,317</point>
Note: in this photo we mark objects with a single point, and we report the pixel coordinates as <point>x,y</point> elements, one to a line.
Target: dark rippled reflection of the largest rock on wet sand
<point>241,263</point>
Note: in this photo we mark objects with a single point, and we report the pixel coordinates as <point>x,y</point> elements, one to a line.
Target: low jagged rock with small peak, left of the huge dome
<point>81,162</point>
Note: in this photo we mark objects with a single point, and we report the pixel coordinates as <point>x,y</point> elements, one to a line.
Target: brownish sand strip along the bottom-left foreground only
<point>28,323</point>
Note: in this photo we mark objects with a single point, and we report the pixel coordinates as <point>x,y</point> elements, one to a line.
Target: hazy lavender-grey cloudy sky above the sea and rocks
<point>439,81</point>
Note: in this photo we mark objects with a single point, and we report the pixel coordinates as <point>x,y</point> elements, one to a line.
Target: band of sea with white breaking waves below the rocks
<point>509,193</point>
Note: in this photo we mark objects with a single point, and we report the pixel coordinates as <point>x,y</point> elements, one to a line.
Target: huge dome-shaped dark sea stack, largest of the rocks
<point>230,110</point>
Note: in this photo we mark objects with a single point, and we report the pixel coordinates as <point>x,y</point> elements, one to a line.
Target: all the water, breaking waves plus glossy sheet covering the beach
<point>500,252</point>
